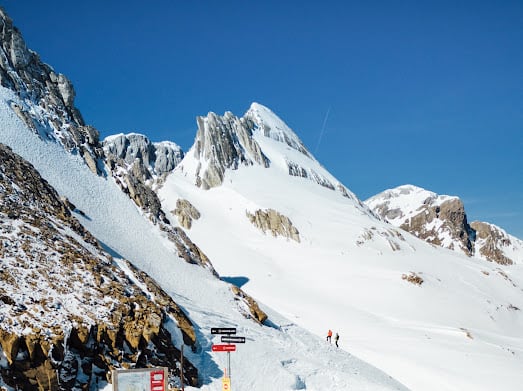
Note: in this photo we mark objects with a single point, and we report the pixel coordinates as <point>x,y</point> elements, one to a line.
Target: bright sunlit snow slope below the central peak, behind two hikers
<point>459,330</point>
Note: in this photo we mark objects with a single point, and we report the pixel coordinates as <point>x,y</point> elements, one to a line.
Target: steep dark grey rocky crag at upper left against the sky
<point>46,102</point>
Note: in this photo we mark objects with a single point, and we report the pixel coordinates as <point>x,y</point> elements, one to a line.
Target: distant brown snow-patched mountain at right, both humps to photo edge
<point>442,220</point>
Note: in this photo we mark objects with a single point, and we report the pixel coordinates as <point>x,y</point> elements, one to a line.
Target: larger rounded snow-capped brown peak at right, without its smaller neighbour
<point>438,219</point>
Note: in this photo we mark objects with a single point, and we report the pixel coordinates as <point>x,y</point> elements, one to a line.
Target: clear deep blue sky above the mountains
<point>422,92</point>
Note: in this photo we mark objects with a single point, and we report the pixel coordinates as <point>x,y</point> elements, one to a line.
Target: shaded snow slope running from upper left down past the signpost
<point>281,356</point>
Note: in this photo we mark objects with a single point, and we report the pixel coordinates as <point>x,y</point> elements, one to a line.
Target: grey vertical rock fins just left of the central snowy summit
<point>224,142</point>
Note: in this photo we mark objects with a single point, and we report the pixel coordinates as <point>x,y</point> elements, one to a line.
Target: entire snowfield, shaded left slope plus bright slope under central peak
<point>461,329</point>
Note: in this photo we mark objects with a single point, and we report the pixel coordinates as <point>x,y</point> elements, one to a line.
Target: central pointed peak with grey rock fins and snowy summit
<point>228,142</point>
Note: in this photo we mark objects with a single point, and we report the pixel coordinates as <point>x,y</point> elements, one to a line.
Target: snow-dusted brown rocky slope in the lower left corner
<point>68,313</point>
